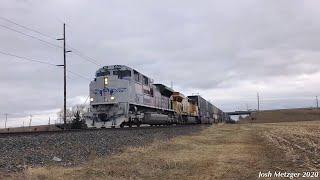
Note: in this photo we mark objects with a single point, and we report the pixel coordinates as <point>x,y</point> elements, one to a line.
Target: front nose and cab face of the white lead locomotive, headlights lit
<point>109,93</point>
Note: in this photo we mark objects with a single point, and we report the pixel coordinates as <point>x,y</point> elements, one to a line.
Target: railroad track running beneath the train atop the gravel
<point>29,133</point>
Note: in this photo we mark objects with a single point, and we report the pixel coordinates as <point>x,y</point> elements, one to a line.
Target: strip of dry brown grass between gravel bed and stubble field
<point>224,152</point>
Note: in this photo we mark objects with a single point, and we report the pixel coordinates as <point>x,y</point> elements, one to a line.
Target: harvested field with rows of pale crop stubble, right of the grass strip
<point>299,140</point>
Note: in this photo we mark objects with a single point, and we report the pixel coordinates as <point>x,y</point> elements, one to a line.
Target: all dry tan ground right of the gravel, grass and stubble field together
<point>224,151</point>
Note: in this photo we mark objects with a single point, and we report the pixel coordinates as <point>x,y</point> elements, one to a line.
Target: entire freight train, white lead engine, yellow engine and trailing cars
<point>121,96</point>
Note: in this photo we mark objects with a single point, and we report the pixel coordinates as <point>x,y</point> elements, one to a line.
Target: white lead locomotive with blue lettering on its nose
<point>120,96</point>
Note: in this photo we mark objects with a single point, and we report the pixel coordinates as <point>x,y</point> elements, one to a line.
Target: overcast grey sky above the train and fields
<point>226,51</point>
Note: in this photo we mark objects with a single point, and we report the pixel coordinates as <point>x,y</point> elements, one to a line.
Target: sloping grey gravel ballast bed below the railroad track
<point>74,148</point>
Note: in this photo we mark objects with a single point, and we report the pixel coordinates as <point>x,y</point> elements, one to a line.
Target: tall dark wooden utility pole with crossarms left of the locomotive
<point>64,75</point>
